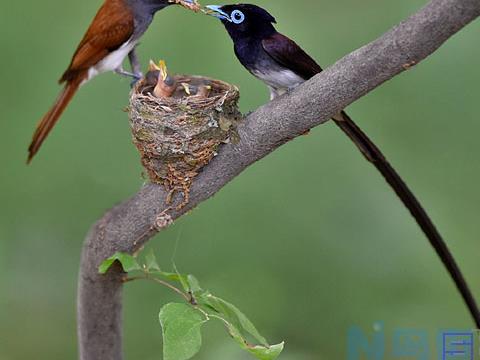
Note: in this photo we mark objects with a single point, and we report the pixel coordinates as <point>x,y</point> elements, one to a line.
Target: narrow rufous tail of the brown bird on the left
<point>51,117</point>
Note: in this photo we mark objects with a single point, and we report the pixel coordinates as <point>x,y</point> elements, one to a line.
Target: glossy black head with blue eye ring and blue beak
<point>244,20</point>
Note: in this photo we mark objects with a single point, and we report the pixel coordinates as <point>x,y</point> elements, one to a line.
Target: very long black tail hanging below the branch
<point>373,154</point>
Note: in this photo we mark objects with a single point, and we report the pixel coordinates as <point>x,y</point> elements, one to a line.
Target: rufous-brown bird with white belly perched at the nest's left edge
<point>112,36</point>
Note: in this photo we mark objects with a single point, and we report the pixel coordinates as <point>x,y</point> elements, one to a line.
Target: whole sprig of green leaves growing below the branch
<point>182,322</point>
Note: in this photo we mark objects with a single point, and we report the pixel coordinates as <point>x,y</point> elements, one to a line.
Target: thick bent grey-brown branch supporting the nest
<point>129,225</point>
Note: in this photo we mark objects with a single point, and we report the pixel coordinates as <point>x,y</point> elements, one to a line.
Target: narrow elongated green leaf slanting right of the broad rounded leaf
<point>232,315</point>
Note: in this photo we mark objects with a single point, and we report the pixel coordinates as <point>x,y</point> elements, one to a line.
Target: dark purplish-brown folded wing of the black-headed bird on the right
<point>286,52</point>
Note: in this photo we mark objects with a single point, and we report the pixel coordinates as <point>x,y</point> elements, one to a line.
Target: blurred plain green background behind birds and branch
<point>307,242</point>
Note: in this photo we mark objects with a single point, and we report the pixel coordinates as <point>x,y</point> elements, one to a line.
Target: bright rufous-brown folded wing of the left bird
<point>111,28</point>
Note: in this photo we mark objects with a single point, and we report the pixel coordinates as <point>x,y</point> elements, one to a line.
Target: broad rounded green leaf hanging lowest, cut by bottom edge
<point>181,325</point>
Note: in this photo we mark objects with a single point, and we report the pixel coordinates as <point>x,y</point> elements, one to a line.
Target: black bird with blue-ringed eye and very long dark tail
<point>283,65</point>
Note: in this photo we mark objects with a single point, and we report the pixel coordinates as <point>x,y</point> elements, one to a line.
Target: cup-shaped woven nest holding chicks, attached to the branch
<point>178,135</point>
